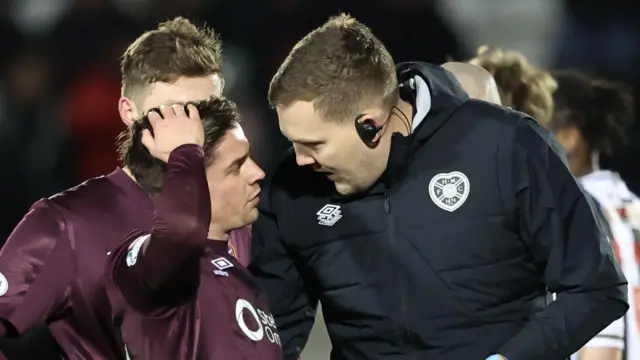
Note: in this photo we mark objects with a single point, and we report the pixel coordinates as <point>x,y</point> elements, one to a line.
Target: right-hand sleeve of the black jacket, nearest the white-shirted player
<point>566,244</point>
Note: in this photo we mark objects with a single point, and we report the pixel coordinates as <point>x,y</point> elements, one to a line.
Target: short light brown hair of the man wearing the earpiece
<point>341,67</point>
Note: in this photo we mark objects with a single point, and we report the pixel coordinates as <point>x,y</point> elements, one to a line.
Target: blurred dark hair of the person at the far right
<point>602,110</point>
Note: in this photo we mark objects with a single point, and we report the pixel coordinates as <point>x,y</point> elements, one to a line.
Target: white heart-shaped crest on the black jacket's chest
<point>449,191</point>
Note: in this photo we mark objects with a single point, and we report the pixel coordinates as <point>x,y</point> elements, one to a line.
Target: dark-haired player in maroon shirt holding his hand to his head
<point>191,299</point>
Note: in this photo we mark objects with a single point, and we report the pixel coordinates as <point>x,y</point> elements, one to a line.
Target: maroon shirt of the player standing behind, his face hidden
<point>52,265</point>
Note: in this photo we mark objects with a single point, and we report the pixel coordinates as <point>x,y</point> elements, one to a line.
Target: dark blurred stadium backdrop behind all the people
<point>59,74</point>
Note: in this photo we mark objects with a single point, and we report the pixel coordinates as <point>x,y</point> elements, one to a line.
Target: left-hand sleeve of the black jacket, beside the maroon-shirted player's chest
<point>280,276</point>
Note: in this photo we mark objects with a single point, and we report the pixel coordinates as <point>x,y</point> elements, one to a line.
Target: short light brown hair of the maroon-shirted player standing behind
<point>177,48</point>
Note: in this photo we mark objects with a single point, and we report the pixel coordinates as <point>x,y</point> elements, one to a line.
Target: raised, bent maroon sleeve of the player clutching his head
<point>157,272</point>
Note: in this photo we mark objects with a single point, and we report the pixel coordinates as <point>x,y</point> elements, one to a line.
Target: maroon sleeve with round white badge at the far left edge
<point>35,270</point>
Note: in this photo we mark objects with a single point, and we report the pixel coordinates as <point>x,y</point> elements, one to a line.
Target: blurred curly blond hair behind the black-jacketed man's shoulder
<point>522,86</point>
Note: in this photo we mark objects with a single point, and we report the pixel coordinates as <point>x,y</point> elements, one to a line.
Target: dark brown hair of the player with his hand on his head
<point>218,115</point>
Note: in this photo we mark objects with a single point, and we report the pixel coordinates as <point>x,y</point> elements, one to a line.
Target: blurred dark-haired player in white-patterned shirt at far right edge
<point>592,117</point>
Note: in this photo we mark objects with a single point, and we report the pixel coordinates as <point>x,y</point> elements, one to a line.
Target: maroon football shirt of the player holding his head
<point>190,299</point>
